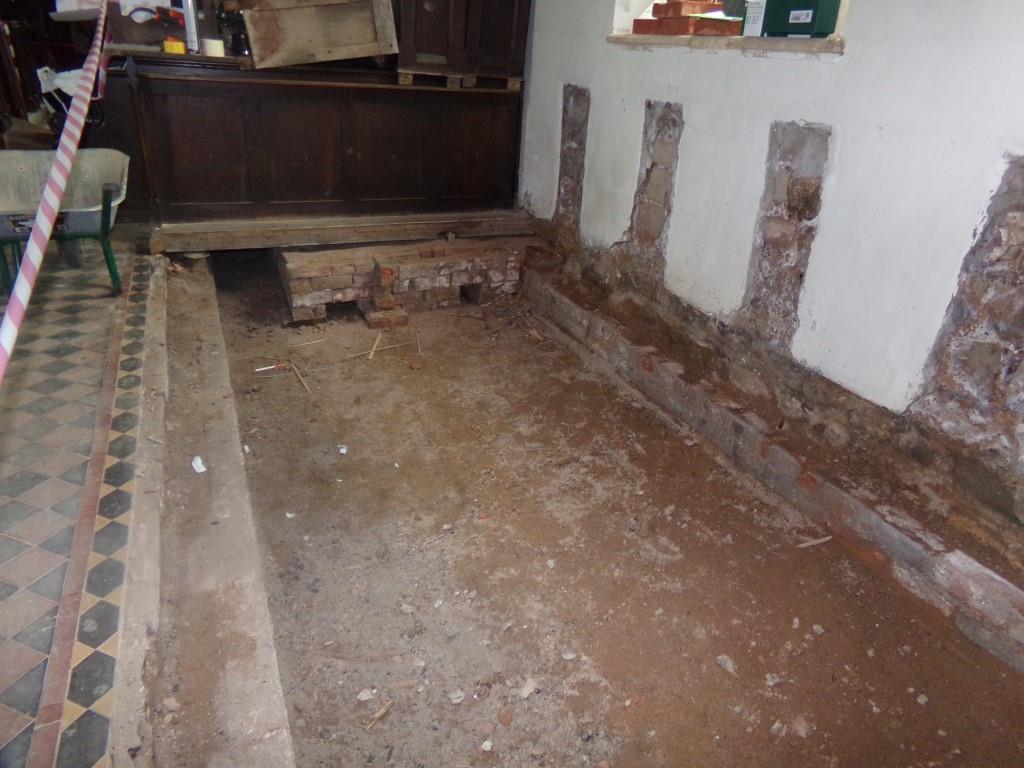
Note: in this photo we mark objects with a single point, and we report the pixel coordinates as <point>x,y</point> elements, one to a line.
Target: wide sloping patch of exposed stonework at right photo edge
<point>975,377</point>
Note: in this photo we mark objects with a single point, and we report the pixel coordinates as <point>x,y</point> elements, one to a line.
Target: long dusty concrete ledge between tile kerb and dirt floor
<point>216,651</point>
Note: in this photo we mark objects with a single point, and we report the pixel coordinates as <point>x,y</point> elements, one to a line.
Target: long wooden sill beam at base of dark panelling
<point>315,231</point>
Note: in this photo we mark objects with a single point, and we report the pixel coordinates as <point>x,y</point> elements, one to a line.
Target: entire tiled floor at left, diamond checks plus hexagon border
<point>66,484</point>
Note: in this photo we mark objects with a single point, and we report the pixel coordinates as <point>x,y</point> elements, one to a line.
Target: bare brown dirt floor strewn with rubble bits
<point>487,554</point>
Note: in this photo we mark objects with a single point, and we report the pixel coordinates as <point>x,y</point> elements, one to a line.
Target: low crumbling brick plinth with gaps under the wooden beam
<point>389,282</point>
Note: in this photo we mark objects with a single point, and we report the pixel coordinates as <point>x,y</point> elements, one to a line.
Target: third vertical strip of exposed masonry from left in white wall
<point>786,230</point>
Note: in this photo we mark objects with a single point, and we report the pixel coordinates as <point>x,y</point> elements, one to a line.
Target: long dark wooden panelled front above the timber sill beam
<point>219,143</point>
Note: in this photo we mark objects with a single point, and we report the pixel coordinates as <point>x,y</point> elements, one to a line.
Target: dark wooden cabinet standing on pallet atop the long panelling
<point>481,38</point>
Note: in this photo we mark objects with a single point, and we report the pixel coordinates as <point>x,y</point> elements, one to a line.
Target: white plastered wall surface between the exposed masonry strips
<point>924,105</point>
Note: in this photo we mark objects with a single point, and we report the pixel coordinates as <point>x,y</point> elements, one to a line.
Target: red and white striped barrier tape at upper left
<point>50,204</point>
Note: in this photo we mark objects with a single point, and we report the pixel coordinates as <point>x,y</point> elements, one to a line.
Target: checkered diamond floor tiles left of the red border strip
<point>49,417</point>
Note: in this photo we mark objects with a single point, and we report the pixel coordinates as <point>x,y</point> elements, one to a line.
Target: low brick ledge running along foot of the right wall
<point>986,607</point>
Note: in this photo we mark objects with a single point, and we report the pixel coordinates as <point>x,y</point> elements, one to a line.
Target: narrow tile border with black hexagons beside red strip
<point>76,707</point>
